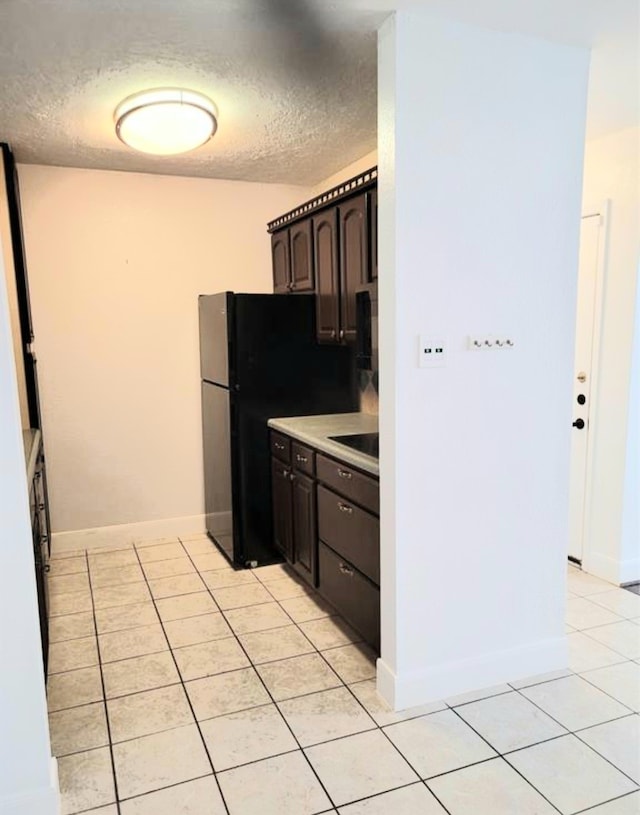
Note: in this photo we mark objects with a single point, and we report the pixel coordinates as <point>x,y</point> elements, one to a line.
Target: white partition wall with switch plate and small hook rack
<point>480,143</point>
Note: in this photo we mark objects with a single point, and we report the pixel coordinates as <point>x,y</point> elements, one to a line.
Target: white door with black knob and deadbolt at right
<point>590,236</point>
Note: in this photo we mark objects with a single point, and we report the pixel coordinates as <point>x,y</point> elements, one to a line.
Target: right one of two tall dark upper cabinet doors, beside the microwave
<point>354,261</point>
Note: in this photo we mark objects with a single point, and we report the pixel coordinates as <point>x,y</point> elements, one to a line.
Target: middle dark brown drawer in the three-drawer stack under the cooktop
<point>350,531</point>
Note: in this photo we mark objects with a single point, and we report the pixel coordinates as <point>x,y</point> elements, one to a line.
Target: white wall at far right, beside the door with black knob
<point>612,171</point>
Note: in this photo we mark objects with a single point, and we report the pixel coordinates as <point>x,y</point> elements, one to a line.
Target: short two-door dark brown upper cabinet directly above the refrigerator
<point>292,258</point>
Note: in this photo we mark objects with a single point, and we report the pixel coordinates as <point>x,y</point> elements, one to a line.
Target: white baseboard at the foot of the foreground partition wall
<point>439,682</point>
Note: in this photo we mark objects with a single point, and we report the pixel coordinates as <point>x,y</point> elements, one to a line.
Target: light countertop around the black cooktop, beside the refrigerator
<point>316,430</point>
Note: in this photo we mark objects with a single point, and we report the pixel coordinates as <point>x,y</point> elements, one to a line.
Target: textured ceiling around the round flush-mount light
<point>284,117</point>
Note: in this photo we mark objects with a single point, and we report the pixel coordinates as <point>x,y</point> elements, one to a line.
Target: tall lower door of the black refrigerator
<point>218,474</point>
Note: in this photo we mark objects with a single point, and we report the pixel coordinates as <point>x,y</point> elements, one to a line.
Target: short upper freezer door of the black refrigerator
<point>215,336</point>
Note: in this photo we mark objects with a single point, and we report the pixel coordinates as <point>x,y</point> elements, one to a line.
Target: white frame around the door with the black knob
<point>603,211</point>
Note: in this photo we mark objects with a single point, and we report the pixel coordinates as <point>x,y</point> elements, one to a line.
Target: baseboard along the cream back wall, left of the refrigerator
<point>125,534</point>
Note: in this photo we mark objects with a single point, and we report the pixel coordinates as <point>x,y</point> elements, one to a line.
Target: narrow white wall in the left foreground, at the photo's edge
<point>28,783</point>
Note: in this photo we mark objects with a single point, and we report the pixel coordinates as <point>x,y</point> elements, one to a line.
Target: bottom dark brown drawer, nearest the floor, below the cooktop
<point>351,594</point>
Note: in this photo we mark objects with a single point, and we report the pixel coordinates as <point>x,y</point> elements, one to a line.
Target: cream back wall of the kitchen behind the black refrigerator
<point>116,261</point>
